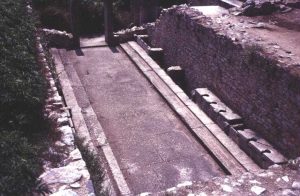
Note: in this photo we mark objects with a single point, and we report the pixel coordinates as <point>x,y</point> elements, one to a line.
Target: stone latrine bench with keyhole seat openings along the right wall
<point>252,143</point>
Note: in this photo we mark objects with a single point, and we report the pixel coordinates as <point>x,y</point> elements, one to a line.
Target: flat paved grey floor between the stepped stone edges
<point>152,146</point>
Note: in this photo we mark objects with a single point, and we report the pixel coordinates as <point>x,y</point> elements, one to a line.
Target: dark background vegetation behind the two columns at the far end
<point>54,14</point>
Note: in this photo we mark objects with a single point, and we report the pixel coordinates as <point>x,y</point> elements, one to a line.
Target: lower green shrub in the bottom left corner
<point>19,165</point>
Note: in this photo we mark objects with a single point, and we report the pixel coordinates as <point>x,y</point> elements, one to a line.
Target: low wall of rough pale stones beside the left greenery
<point>70,175</point>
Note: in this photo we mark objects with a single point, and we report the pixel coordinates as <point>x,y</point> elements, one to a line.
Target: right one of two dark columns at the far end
<point>108,22</point>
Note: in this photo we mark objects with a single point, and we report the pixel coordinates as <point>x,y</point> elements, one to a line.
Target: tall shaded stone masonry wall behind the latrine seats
<point>259,88</point>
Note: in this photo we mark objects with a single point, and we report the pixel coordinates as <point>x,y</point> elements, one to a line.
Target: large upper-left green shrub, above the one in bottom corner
<point>22,87</point>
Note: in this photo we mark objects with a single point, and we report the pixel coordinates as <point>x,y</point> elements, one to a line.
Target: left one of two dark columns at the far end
<point>74,10</point>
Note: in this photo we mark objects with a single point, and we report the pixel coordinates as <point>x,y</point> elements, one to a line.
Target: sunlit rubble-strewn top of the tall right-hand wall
<point>246,32</point>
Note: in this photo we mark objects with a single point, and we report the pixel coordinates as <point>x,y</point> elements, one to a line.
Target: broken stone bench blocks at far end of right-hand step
<point>155,53</point>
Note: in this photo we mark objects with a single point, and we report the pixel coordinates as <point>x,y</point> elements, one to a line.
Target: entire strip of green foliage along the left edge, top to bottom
<point>22,95</point>
